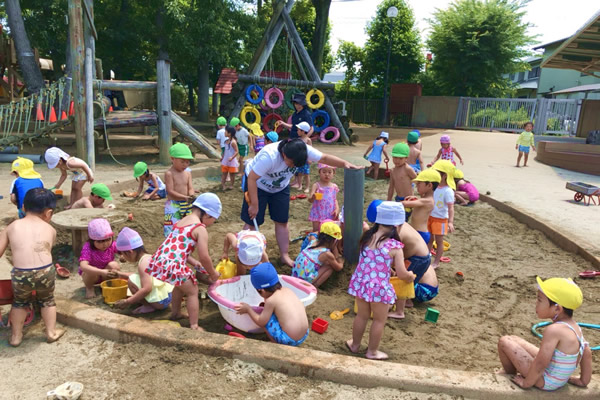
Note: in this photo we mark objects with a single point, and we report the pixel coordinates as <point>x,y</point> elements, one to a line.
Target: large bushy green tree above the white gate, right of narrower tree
<point>474,43</point>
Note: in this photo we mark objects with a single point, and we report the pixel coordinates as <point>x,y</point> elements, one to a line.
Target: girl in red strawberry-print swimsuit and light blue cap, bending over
<point>170,262</point>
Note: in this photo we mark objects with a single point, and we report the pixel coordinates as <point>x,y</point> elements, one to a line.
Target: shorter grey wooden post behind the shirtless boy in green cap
<point>163,80</point>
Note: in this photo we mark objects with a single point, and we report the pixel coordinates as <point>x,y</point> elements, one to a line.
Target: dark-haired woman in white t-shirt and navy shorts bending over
<point>267,183</point>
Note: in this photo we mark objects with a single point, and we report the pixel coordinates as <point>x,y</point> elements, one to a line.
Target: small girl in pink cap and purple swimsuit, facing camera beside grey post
<point>323,197</point>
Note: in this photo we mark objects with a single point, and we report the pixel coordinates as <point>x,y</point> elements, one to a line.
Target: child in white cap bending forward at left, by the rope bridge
<point>55,157</point>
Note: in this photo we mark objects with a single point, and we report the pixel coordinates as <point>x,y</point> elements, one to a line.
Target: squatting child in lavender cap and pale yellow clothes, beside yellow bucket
<point>149,291</point>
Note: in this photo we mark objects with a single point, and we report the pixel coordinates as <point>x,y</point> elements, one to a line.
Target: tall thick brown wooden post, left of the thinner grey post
<point>77,56</point>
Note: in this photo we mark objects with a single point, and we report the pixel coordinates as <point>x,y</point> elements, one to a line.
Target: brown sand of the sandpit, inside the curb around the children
<point>498,256</point>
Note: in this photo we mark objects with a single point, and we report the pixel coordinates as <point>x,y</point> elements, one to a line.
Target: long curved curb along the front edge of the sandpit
<point>306,362</point>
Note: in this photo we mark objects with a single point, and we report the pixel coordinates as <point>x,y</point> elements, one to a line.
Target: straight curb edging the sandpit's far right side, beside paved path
<point>554,234</point>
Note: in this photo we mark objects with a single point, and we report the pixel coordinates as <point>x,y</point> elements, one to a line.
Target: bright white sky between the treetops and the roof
<point>553,19</point>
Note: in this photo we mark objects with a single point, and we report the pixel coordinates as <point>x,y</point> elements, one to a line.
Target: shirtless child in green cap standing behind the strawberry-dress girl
<point>179,186</point>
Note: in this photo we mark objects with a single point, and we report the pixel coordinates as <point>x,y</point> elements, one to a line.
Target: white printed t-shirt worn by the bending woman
<point>274,174</point>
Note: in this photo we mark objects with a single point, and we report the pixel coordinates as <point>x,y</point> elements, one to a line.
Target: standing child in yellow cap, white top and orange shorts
<point>441,220</point>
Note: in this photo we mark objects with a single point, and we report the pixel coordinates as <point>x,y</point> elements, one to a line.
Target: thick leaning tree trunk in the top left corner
<point>25,57</point>
